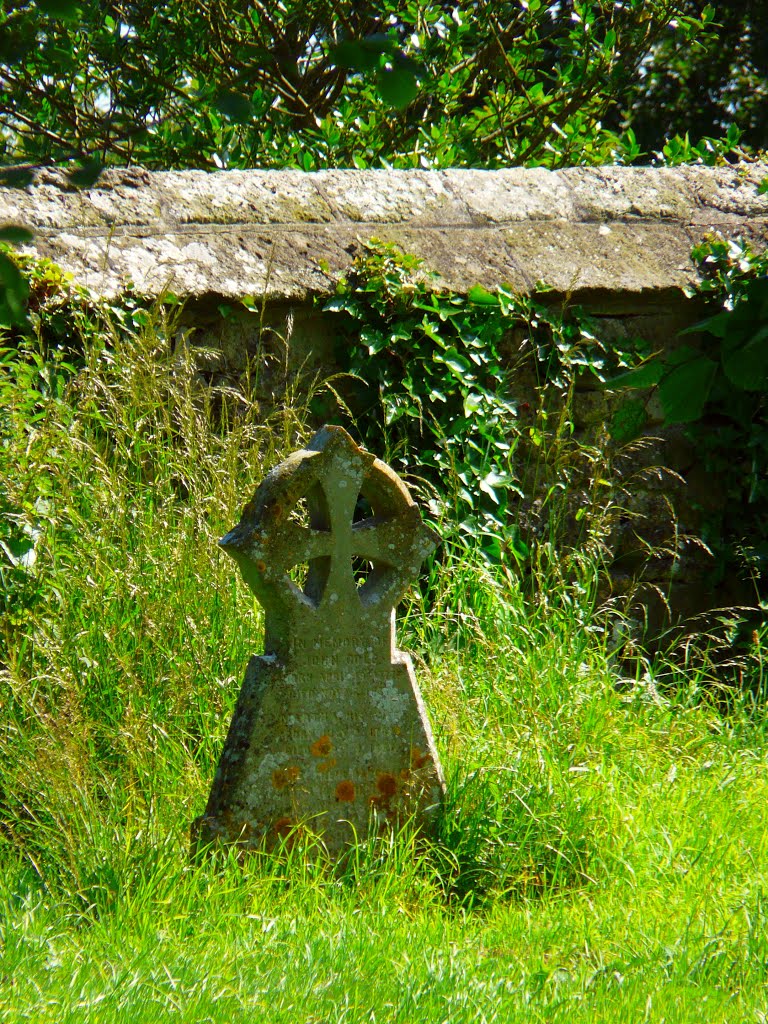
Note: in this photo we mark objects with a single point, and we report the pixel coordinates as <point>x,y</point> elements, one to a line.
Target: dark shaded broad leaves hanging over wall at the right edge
<point>719,391</point>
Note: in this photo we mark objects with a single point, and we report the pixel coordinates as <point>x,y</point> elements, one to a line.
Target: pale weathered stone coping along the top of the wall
<point>619,238</point>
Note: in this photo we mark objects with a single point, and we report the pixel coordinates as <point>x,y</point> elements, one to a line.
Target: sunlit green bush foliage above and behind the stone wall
<point>224,83</point>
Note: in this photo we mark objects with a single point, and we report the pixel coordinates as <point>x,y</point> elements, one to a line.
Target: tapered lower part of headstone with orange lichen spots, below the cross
<point>278,779</point>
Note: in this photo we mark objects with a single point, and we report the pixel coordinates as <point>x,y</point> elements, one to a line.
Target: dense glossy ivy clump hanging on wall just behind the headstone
<point>430,365</point>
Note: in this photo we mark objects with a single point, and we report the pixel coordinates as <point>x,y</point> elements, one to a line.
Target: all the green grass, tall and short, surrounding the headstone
<point>604,855</point>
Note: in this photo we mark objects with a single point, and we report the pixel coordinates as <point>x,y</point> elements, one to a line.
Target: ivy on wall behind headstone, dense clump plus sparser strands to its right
<point>436,369</point>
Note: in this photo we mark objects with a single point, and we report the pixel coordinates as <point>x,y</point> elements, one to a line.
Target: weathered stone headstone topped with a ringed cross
<point>329,734</point>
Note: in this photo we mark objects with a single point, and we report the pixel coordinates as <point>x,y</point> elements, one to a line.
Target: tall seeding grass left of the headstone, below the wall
<point>124,632</point>
